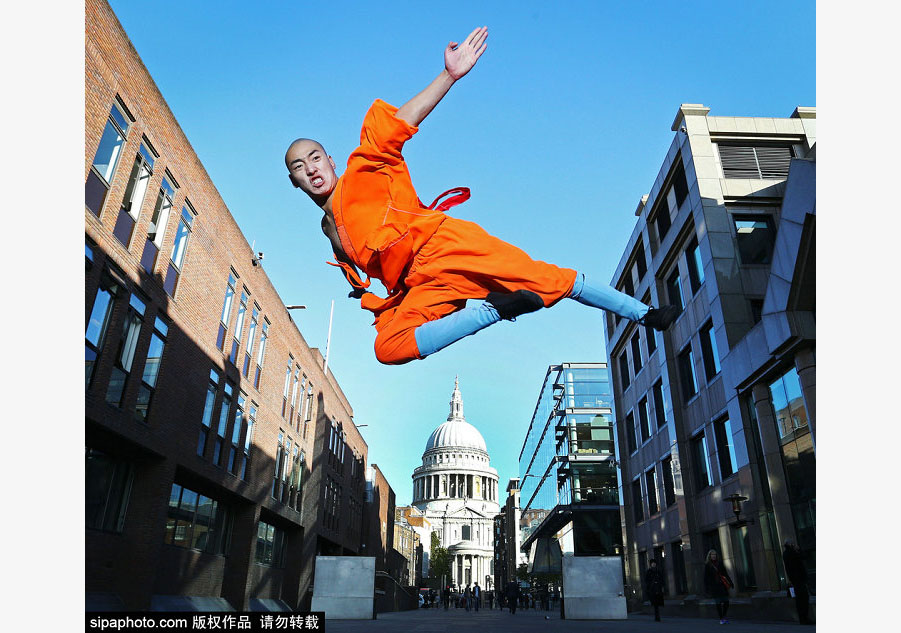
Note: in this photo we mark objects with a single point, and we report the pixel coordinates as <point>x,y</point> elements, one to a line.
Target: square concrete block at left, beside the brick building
<point>344,587</point>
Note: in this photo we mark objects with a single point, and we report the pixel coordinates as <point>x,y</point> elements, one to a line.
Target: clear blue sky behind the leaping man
<point>558,130</point>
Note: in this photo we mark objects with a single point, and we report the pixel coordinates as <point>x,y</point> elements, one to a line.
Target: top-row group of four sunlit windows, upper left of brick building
<point>99,183</point>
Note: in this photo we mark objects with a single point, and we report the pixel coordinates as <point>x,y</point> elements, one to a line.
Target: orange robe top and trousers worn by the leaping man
<point>429,262</point>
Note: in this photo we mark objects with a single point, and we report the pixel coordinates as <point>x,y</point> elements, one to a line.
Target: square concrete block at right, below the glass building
<point>593,588</point>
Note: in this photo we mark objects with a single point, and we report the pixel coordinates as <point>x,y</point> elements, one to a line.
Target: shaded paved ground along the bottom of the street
<point>529,621</point>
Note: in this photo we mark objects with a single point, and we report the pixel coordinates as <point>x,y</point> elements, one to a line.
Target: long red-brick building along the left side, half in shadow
<point>219,458</point>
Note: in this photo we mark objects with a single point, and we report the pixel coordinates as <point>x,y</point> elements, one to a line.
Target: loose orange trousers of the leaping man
<point>461,261</point>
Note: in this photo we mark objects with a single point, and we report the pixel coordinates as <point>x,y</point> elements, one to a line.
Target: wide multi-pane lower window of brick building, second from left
<point>195,521</point>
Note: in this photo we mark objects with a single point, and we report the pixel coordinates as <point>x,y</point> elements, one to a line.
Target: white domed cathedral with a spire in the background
<point>456,491</point>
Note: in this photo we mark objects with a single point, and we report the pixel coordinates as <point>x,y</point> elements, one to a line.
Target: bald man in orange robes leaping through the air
<point>429,262</point>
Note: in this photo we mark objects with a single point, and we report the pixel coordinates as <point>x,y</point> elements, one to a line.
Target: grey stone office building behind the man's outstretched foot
<point>720,408</point>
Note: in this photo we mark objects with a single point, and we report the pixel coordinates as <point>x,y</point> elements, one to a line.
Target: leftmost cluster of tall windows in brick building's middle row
<point>131,348</point>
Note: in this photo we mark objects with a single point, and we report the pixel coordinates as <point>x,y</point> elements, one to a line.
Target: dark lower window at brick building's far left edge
<point>107,490</point>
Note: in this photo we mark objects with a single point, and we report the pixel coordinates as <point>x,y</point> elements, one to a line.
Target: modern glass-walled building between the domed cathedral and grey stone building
<point>569,489</point>
